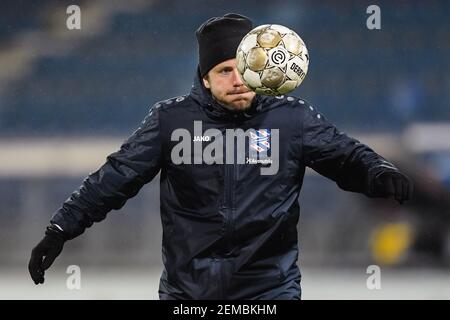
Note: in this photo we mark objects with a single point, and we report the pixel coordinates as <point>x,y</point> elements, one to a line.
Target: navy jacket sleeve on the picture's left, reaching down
<point>121,177</point>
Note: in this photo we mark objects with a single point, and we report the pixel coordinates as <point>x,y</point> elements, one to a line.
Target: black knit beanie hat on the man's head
<point>218,39</point>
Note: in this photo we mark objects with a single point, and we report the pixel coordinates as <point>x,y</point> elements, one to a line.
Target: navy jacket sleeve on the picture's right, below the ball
<point>352,165</point>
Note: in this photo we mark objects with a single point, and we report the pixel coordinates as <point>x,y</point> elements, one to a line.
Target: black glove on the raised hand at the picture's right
<point>393,183</point>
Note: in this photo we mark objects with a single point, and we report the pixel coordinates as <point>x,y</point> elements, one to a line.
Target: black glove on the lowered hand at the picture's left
<point>46,251</point>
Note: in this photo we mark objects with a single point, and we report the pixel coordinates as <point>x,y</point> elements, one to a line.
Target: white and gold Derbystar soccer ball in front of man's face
<point>272,60</point>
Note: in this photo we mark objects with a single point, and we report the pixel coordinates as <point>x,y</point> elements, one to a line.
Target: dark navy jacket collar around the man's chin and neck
<point>217,111</point>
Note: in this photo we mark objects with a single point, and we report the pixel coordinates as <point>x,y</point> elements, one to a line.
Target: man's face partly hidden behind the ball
<point>227,87</point>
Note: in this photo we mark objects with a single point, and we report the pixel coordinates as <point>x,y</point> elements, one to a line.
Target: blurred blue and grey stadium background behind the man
<point>70,97</point>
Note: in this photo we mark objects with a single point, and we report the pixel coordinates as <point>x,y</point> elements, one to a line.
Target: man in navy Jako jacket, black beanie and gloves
<point>229,209</point>
